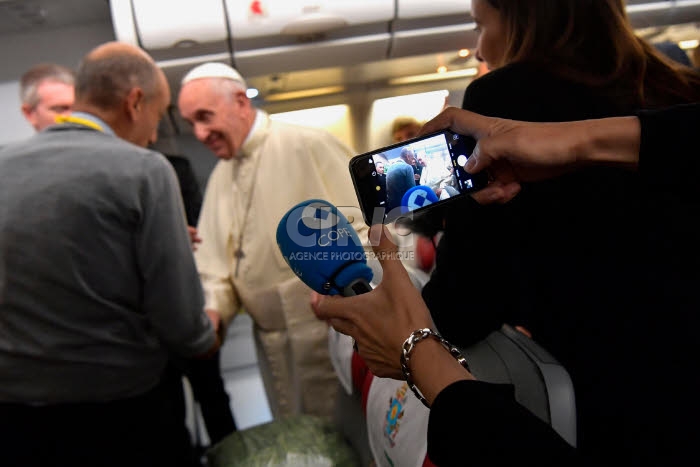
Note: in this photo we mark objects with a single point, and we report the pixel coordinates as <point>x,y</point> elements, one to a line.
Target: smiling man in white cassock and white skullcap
<point>265,168</point>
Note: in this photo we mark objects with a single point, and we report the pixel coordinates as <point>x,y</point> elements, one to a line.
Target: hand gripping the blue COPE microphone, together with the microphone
<point>379,320</point>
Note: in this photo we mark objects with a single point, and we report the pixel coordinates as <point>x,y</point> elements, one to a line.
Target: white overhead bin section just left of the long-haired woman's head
<point>427,27</point>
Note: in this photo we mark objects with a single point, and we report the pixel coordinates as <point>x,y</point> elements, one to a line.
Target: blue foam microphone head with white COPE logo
<point>323,249</point>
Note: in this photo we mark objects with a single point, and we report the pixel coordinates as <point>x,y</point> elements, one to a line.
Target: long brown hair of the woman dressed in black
<point>593,42</point>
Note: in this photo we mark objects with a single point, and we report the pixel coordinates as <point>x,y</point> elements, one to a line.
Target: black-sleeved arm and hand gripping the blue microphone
<point>471,422</point>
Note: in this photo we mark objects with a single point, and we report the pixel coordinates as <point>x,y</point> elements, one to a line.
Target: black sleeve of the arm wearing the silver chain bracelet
<point>477,423</point>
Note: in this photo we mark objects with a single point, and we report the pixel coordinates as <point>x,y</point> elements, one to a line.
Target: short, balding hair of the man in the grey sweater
<point>105,80</point>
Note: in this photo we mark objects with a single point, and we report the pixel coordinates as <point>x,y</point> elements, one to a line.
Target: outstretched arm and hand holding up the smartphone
<point>658,143</point>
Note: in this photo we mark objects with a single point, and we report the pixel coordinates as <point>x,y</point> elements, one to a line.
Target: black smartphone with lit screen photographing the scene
<point>410,177</point>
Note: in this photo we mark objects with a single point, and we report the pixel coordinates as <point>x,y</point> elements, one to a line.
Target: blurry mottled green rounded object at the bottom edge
<point>299,441</point>
